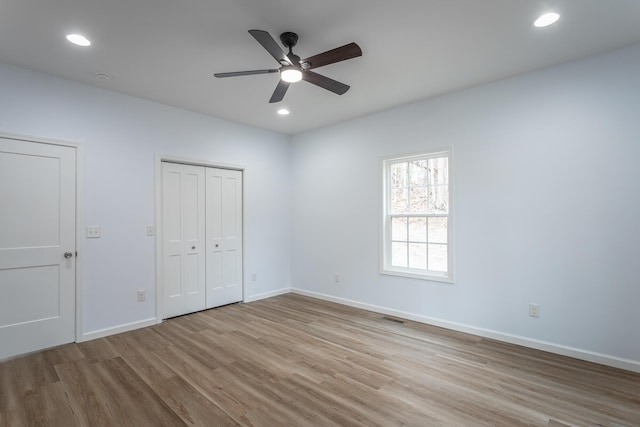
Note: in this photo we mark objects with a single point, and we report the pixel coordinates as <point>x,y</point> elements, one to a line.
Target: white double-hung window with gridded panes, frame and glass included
<point>417,217</point>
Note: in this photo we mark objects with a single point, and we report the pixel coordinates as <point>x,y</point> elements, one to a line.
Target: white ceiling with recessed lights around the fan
<point>168,50</point>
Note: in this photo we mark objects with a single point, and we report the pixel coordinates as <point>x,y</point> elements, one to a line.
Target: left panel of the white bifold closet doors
<point>183,231</point>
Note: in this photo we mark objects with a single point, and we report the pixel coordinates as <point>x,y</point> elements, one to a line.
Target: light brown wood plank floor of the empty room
<point>297,361</point>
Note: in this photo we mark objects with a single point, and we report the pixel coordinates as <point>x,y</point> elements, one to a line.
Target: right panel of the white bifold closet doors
<point>224,237</point>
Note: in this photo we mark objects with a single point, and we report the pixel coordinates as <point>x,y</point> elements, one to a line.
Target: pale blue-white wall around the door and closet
<point>121,136</point>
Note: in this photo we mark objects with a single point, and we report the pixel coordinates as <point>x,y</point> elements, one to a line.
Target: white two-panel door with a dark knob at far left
<point>37,246</point>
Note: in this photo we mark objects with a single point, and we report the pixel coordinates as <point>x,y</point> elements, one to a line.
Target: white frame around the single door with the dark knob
<point>79,154</point>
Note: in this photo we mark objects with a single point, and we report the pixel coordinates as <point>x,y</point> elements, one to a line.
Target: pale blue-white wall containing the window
<point>547,207</point>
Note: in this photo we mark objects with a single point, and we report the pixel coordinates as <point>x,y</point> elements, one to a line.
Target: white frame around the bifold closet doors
<point>158,221</point>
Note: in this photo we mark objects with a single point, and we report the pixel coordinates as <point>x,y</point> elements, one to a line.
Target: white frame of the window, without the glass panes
<point>385,237</point>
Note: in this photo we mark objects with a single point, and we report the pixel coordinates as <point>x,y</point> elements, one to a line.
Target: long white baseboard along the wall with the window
<point>576,353</point>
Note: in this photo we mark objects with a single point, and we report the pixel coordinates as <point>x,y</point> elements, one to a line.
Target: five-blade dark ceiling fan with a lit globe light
<point>293,69</point>
